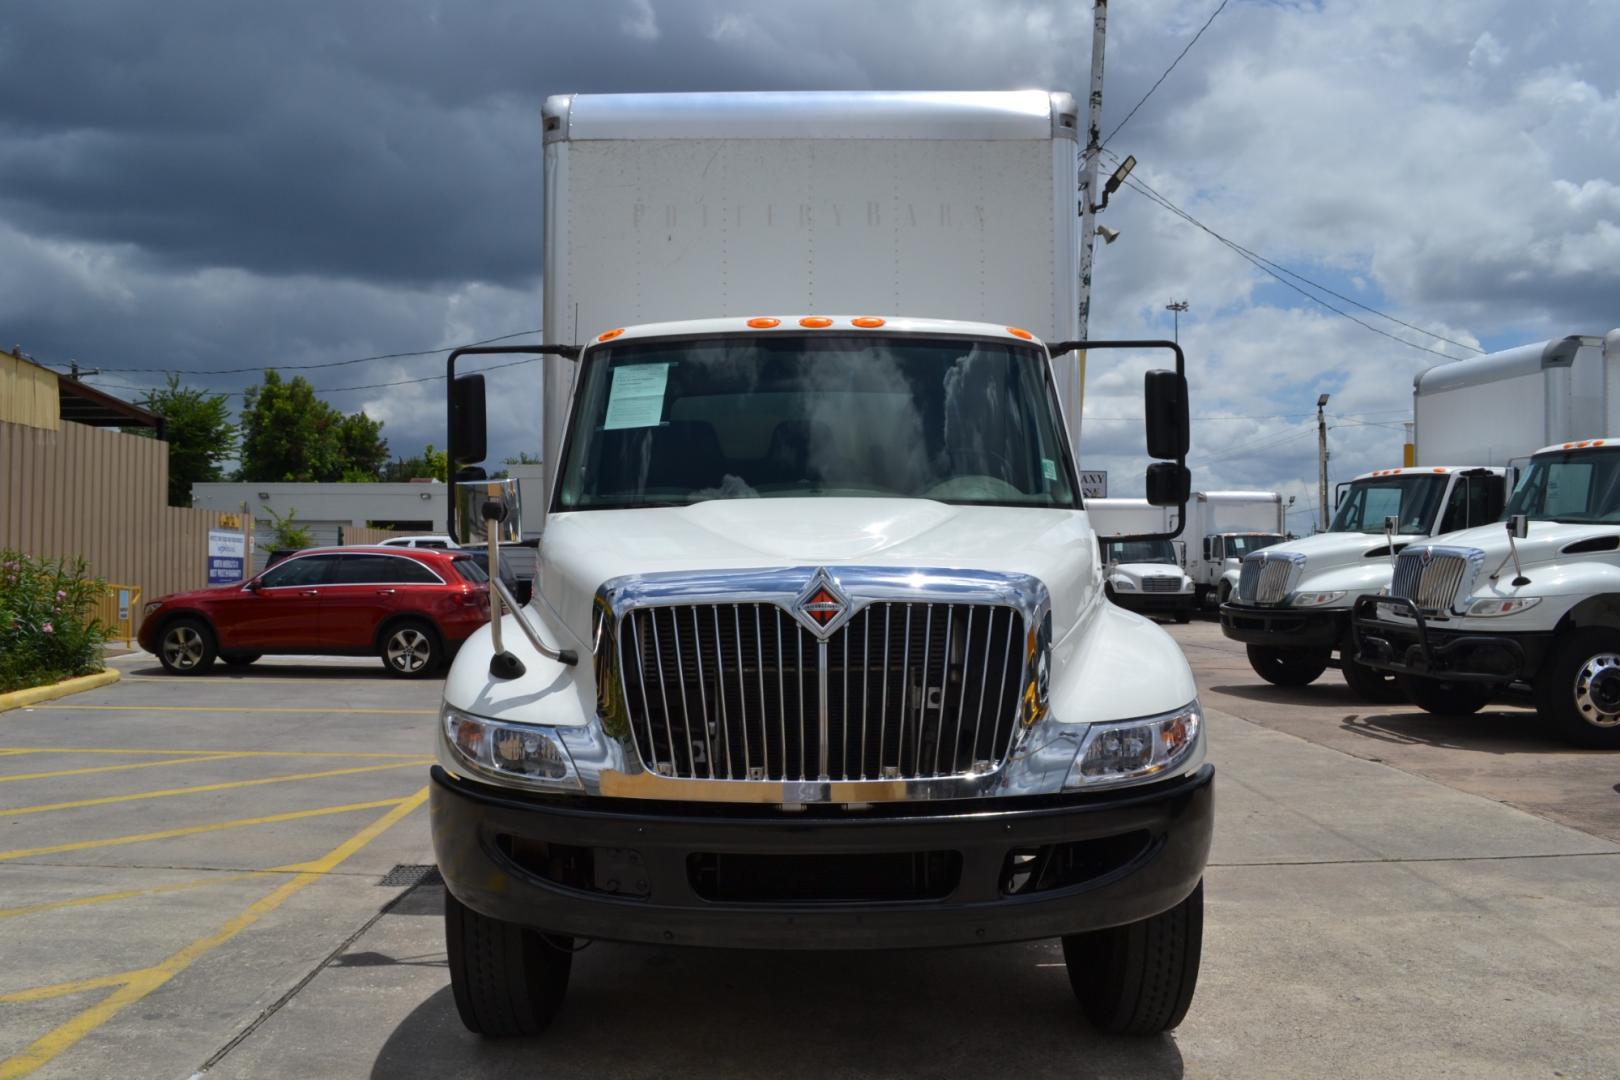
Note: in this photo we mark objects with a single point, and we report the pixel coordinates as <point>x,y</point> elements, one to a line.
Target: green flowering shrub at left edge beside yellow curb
<point>48,621</point>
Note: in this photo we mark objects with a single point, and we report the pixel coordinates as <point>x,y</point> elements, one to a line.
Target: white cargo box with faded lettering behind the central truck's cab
<point>688,206</point>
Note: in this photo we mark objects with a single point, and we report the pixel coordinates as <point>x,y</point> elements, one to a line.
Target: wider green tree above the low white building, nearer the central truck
<point>291,435</point>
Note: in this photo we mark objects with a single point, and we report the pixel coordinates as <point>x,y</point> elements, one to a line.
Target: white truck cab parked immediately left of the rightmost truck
<point>1294,602</point>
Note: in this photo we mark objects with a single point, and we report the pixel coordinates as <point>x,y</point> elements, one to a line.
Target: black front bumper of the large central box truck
<point>725,877</point>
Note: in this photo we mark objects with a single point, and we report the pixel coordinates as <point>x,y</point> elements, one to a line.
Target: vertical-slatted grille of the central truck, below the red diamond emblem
<point>744,692</point>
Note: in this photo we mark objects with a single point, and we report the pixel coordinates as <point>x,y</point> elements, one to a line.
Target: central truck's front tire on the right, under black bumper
<point>1140,979</point>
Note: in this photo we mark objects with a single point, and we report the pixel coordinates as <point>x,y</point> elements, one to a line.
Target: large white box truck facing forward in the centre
<point>819,655</point>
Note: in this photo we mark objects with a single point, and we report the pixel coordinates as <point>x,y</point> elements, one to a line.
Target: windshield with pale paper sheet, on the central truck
<point>681,422</point>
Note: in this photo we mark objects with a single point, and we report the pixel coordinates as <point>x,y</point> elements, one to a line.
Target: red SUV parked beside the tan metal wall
<point>411,606</point>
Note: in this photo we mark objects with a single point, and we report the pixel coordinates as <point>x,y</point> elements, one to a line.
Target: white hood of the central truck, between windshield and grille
<point>586,548</point>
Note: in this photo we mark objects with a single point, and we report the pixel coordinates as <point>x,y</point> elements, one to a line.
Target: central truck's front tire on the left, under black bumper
<point>506,979</point>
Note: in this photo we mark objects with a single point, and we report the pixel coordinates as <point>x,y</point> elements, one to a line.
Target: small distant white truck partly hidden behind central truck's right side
<point>1143,576</point>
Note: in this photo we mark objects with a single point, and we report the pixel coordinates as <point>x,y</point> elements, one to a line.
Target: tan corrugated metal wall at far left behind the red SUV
<point>101,495</point>
